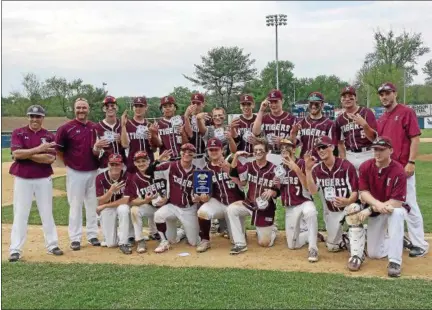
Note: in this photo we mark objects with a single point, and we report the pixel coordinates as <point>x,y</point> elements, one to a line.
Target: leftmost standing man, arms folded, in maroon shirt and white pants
<point>33,151</point>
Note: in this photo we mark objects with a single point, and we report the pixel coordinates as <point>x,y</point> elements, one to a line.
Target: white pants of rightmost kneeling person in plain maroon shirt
<point>379,243</point>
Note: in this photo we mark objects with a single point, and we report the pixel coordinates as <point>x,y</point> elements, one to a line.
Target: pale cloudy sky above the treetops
<point>145,47</point>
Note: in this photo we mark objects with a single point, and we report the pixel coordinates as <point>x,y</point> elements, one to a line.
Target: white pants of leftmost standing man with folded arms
<point>22,202</point>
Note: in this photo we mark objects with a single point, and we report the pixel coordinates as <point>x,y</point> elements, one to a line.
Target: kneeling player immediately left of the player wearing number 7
<point>260,202</point>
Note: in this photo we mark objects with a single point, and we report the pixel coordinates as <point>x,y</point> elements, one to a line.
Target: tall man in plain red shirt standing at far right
<point>399,123</point>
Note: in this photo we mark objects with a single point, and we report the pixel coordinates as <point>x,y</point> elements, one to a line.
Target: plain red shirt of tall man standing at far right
<point>400,125</point>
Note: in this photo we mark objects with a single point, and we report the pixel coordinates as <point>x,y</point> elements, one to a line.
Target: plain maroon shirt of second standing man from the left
<point>76,141</point>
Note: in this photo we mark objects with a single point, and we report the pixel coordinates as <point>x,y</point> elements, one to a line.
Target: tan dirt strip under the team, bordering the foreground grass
<point>278,257</point>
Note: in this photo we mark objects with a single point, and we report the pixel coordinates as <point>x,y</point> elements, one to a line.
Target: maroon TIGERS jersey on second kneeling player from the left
<point>139,186</point>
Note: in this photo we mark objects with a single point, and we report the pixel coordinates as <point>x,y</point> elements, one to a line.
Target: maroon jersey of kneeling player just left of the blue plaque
<point>180,182</point>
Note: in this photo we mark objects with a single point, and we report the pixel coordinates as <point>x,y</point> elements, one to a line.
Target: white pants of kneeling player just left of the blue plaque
<point>170,213</point>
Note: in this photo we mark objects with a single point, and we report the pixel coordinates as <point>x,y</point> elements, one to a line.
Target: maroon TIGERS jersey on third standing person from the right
<point>312,129</point>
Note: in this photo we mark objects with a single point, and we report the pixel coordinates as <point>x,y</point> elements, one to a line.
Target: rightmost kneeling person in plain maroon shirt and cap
<point>383,187</point>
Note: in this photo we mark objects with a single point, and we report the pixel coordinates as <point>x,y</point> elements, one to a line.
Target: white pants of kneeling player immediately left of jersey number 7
<point>237,214</point>
